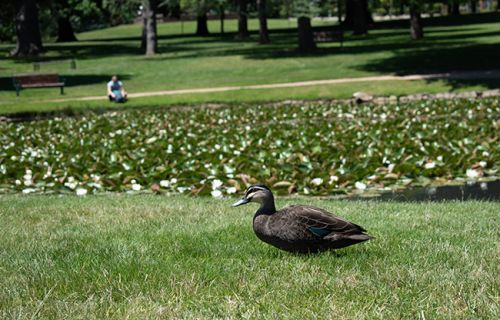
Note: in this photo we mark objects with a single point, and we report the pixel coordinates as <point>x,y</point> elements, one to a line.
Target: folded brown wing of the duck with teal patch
<point>320,222</point>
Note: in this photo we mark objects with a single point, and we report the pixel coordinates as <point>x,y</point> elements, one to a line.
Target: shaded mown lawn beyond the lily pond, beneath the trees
<point>186,61</point>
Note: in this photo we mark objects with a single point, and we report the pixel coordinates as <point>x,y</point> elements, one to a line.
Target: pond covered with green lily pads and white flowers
<point>316,148</point>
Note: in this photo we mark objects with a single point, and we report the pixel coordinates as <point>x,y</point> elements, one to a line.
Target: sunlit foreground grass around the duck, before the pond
<point>151,257</point>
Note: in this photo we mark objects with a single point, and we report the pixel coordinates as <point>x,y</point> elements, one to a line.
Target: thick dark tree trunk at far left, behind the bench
<point>29,39</point>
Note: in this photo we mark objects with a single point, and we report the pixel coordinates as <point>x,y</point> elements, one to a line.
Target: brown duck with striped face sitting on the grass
<point>299,228</point>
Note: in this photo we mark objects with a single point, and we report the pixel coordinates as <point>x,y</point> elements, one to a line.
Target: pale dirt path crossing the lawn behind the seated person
<point>491,74</point>
